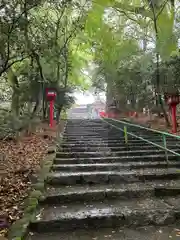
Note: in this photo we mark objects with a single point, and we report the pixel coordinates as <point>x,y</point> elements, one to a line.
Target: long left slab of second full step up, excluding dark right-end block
<point>87,193</point>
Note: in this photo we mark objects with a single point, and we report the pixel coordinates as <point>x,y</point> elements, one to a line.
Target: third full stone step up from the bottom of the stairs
<point>99,177</point>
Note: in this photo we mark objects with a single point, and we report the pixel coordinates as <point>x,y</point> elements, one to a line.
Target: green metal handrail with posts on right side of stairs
<point>126,133</point>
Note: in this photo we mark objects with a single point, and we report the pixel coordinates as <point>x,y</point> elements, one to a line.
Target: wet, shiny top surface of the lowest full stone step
<point>84,209</point>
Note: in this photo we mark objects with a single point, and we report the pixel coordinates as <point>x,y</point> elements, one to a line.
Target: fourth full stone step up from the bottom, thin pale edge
<point>113,166</point>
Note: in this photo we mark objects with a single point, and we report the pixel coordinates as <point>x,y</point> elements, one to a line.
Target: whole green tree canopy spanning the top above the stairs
<point>128,48</point>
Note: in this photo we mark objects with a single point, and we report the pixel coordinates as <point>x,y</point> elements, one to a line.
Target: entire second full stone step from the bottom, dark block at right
<point>160,188</point>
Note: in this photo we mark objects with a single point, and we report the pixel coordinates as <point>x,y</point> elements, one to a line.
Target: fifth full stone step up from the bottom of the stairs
<point>112,159</point>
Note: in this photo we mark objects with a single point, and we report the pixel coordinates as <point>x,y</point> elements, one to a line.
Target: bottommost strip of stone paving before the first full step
<point>118,233</point>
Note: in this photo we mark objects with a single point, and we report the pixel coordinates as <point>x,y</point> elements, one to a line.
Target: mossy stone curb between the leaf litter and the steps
<point>19,230</point>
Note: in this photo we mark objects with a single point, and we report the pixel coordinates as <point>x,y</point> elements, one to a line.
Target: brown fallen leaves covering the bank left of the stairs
<point>19,164</point>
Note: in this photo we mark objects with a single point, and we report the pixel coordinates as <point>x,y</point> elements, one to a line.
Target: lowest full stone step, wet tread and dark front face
<point>80,215</point>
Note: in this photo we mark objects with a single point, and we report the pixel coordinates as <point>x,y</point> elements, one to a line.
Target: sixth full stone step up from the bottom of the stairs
<point>114,153</point>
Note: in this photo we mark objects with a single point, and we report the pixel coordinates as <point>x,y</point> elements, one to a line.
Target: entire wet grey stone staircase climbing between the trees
<point>99,188</point>
